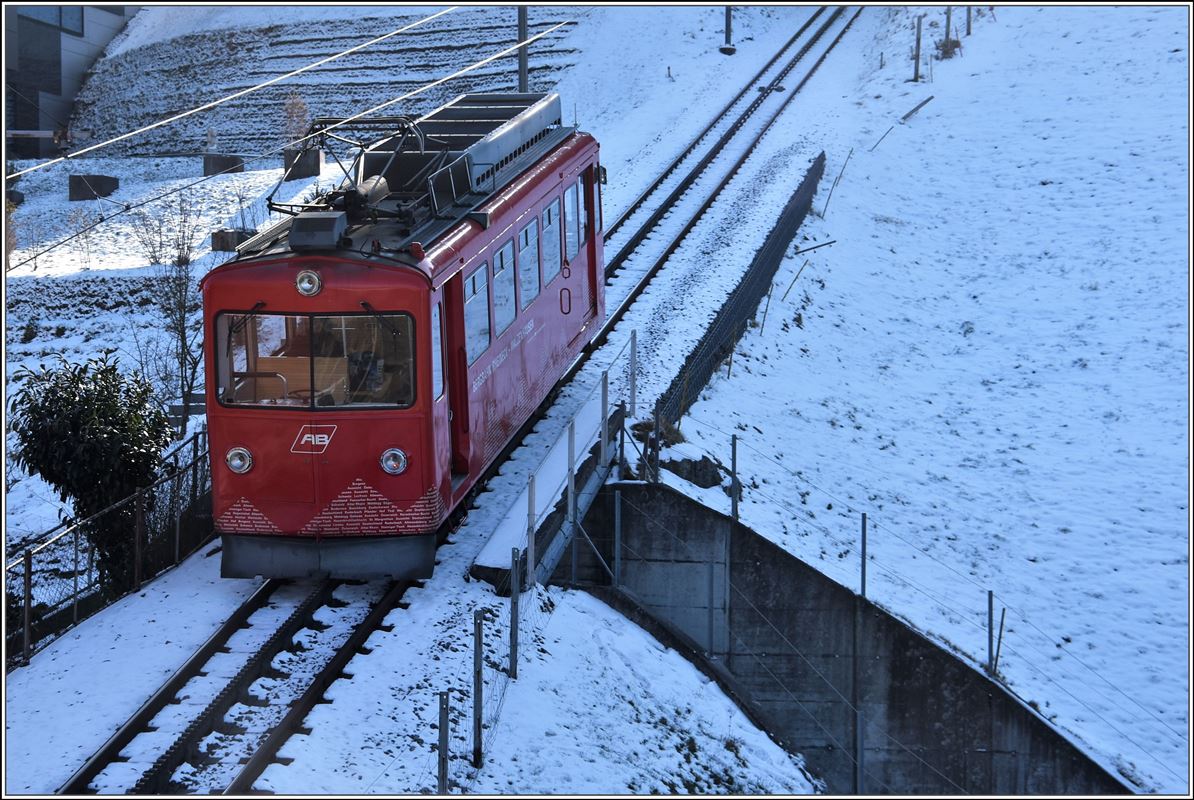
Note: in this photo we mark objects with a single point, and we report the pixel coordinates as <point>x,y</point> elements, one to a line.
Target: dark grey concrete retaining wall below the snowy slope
<point>783,638</point>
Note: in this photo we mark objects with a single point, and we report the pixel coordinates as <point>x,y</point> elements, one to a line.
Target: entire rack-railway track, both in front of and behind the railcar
<point>223,718</point>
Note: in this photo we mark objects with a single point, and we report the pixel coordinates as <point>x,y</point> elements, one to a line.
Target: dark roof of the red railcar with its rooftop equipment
<point>420,181</point>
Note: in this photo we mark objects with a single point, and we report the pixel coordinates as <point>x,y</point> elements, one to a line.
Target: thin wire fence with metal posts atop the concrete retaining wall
<point>949,605</point>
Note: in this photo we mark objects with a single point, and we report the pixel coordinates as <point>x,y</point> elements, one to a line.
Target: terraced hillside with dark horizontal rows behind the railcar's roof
<point>136,87</point>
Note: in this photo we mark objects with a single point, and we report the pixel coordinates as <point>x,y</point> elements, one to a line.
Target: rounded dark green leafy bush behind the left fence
<point>95,435</point>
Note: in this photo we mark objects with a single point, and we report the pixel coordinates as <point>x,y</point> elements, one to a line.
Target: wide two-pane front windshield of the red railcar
<point>316,361</point>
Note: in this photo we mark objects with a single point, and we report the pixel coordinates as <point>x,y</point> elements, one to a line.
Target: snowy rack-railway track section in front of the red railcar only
<point>221,718</point>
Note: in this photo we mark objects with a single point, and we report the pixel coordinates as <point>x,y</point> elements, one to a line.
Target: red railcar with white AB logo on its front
<point>368,359</point>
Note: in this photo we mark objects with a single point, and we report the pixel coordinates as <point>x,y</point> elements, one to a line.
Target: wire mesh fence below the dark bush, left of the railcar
<point>83,567</point>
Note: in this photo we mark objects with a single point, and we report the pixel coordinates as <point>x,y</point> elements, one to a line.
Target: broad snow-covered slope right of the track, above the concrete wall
<point>993,362</point>
